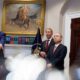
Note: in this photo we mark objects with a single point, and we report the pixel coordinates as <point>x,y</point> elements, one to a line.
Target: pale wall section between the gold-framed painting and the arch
<point>52,18</point>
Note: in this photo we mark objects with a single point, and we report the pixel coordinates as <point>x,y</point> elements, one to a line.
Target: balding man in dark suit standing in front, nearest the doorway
<point>57,53</point>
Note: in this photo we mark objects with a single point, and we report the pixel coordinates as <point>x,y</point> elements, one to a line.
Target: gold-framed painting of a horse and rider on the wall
<point>23,16</point>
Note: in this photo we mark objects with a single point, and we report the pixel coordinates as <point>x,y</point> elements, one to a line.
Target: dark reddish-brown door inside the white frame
<point>75,42</point>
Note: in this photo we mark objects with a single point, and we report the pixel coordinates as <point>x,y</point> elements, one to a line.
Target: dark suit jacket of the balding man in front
<point>57,57</point>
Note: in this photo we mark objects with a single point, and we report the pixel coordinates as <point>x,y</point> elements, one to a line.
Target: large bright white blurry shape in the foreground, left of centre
<point>25,67</point>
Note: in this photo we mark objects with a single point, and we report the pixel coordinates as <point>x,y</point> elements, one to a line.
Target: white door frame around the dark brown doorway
<point>67,31</point>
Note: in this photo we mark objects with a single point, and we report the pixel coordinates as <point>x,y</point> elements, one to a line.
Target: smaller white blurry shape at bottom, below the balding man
<point>53,74</point>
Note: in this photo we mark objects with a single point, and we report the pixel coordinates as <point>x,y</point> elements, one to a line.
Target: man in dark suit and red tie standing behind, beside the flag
<point>48,42</point>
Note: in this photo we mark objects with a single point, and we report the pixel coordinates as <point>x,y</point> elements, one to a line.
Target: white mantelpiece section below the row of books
<point>13,50</point>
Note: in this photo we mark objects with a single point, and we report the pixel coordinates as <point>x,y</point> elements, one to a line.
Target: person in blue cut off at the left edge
<point>2,42</point>
